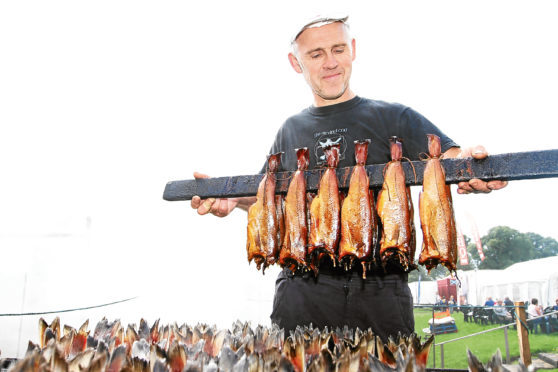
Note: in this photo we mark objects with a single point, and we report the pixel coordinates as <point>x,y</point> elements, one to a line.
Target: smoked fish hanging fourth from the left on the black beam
<point>358,219</point>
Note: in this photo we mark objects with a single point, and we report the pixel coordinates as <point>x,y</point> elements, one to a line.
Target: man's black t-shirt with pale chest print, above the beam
<point>356,119</point>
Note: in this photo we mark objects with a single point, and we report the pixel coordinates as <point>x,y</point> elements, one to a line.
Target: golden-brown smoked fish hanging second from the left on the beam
<point>293,249</point>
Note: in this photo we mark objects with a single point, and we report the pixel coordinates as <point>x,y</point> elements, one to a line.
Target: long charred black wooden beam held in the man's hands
<point>511,166</point>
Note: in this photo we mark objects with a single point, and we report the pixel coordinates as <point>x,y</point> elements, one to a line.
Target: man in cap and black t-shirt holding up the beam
<point>323,53</point>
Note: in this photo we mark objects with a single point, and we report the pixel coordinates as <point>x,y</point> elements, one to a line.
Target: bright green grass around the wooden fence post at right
<point>483,345</point>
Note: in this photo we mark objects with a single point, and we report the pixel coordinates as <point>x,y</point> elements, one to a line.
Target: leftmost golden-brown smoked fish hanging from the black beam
<point>265,219</point>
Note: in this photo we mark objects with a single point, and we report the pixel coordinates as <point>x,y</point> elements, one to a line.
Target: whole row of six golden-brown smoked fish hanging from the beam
<point>300,230</point>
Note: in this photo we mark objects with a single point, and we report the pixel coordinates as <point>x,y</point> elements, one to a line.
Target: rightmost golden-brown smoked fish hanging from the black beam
<point>436,213</point>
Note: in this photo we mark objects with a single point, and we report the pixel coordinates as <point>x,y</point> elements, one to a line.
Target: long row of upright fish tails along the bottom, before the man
<point>204,348</point>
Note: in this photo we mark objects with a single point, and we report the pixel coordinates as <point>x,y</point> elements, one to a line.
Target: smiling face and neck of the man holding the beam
<point>324,55</point>
